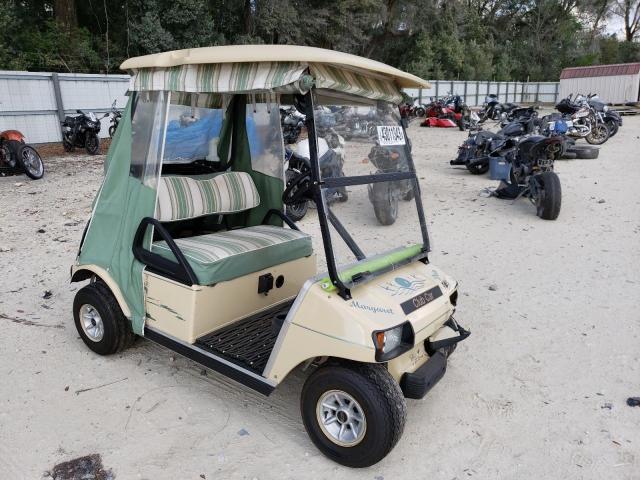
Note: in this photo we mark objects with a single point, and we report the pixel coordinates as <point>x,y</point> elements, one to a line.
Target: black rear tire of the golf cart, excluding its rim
<point>117,334</point>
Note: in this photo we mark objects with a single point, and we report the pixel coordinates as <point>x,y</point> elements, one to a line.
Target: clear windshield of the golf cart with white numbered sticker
<point>369,186</point>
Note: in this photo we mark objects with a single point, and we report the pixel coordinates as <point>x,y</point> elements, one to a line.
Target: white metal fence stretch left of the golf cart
<point>34,103</point>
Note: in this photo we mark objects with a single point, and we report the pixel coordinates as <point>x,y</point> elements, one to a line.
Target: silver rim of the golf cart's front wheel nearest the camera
<point>341,418</point>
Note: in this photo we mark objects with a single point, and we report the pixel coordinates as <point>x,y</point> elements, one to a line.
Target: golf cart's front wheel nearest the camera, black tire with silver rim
<point>354,413</point>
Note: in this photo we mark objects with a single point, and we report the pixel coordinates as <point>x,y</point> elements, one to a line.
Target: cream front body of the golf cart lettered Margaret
<point>325,325</point>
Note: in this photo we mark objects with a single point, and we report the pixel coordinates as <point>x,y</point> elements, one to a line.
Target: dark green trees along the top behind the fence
<point>452,39</point>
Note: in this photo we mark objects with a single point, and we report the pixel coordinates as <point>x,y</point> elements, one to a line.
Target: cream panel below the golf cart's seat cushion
<point>189,312</point>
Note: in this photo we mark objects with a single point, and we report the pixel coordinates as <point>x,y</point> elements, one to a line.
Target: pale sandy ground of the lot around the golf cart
<point>538,391</point>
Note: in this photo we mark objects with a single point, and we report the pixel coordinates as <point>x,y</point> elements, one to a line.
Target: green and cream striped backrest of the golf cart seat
<point>181,198</point>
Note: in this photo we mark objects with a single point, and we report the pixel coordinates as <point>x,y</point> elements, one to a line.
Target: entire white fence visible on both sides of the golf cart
<point>34,103</point>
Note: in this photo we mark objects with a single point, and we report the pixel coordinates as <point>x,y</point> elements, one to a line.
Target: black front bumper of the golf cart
<point>418,383</point>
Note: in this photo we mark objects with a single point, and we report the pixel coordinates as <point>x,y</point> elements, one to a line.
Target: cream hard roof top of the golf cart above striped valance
<point>273,53</point>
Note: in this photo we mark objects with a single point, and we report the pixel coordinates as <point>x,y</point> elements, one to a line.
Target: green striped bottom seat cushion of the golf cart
<point>221,256</point>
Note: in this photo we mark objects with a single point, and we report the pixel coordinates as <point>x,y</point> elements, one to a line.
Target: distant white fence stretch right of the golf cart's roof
<point>473,92</point>
